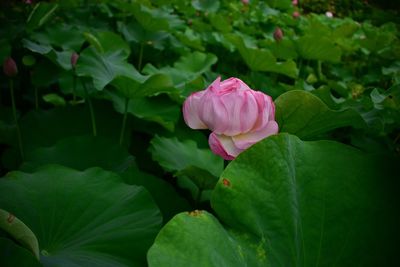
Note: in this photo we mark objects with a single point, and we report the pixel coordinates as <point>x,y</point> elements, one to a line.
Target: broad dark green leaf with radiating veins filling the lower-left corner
<point>87,218</point>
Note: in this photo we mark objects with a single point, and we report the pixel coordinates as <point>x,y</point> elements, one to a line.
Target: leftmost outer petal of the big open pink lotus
<point>191,111</point>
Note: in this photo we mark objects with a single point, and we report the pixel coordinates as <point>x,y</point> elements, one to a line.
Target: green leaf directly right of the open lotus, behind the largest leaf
<point>305,115</point>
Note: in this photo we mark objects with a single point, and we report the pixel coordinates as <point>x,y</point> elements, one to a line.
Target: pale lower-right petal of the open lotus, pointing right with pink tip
<point>243,141</point>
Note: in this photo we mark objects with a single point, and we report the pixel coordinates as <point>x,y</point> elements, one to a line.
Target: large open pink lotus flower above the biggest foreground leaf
<point>237,116</point>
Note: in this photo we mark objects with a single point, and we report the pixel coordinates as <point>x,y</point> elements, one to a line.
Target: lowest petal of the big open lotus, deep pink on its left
<point>223,145</point>
